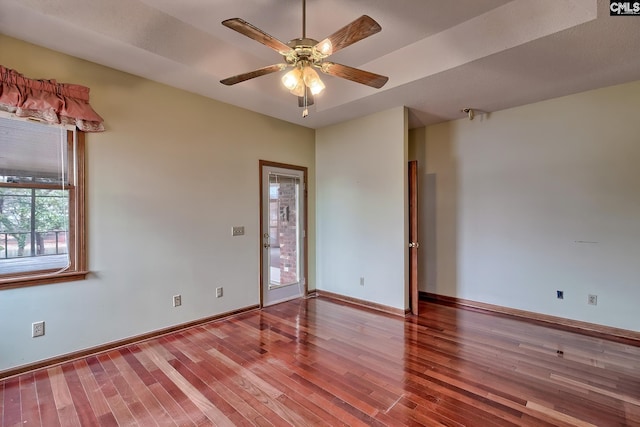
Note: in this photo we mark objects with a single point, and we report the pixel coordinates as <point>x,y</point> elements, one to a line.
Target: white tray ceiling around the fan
<point>440,56</point>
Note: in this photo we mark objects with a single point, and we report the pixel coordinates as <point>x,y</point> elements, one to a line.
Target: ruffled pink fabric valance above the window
<point>47,100</point>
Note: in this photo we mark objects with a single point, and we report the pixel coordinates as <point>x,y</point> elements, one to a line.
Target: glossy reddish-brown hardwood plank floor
<point>318,362</point>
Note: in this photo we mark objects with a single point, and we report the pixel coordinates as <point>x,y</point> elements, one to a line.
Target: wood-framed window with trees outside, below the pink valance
<point>42,237</point>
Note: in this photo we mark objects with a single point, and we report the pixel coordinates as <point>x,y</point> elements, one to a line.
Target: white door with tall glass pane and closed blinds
<point>283,228</point>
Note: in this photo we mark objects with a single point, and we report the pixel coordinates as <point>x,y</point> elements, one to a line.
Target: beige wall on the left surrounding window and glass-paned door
<point>166,182</point>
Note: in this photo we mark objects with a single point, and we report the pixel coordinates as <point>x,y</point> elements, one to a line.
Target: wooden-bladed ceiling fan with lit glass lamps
<point>304,55</point>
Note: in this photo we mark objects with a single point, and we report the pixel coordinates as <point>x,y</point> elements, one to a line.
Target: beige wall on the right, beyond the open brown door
<point>523,202</point>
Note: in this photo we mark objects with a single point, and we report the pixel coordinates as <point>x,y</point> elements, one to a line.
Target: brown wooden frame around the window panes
<point>77,222</point>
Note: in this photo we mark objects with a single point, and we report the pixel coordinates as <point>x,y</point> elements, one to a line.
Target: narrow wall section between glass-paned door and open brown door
<point>362,208</point>
